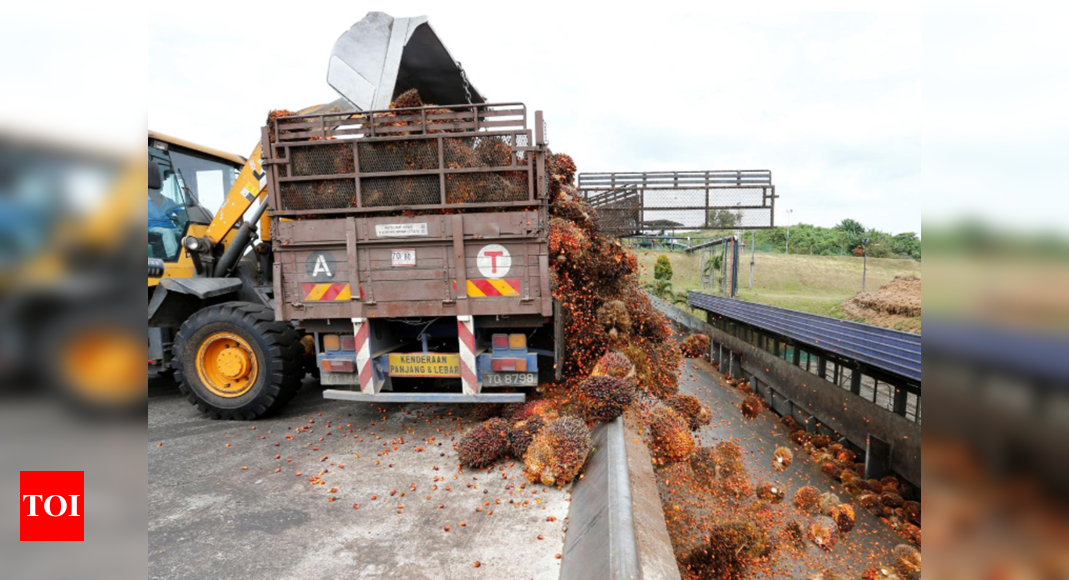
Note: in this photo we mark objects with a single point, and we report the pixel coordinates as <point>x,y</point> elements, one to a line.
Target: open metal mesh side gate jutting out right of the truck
<point>632,205</point>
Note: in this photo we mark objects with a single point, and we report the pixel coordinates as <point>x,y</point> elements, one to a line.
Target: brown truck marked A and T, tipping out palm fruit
<point>412,245</point>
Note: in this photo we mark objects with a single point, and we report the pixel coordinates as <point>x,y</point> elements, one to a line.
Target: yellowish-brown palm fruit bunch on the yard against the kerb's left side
<point>559,451</point>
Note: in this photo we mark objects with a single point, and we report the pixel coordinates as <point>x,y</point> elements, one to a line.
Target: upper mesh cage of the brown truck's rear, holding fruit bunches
<point>419,159</point>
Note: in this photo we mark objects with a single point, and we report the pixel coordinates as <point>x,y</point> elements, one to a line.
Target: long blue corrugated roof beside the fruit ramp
<point>892,351</point>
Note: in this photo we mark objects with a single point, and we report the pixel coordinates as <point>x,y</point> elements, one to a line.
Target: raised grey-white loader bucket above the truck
<point>382,57</point>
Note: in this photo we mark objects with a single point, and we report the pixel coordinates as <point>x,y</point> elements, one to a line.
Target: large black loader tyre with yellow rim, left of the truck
<point>235,362</point>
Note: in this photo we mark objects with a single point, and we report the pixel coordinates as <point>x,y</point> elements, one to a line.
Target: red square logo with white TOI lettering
<point>53,506</point>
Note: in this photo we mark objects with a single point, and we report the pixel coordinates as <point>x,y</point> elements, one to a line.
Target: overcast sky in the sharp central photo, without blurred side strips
<point>829,103</point>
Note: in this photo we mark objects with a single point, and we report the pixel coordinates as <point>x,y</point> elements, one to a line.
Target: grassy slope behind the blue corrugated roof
<point>810,284</point>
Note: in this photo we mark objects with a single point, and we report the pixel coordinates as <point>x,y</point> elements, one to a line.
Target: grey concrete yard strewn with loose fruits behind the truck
<point>218,508</point>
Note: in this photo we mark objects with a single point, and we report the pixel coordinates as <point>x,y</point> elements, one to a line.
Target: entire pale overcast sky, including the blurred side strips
<point>942,113</point>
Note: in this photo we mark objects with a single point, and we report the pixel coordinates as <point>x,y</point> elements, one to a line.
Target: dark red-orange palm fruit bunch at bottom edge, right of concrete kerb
<point>727,552</point>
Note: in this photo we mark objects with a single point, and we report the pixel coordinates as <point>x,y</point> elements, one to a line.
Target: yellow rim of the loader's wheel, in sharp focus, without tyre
<point>227,365</point>
